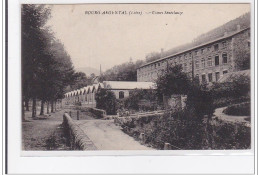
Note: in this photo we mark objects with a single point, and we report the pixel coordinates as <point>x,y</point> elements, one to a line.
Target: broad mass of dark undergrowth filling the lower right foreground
<point>185,132</point>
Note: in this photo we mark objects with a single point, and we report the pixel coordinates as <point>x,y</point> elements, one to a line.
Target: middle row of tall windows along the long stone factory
<point>202,63</point>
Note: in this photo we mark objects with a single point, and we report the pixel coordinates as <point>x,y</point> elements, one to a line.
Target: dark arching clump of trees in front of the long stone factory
<point>175,81</point>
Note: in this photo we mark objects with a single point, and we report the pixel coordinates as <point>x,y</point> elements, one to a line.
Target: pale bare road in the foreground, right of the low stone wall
<point>107,136</point>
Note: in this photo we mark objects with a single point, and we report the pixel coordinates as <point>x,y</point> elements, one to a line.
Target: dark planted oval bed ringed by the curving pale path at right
<point>238,110</point>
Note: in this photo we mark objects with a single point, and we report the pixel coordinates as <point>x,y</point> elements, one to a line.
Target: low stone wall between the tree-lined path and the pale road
<point>77,138</point>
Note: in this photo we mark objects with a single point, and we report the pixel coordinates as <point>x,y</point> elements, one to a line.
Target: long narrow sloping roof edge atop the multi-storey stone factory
<point>196,47</point>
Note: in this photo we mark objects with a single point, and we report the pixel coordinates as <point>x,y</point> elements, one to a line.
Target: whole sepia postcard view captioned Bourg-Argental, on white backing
<point>136,77</point>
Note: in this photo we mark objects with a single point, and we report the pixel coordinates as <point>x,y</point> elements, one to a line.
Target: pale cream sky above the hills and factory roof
<point>111,39</point>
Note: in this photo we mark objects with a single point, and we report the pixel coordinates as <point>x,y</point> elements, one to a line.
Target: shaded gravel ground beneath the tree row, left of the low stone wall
<point>44,134</point>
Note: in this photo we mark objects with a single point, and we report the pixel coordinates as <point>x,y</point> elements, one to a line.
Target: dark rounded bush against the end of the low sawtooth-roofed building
<point>106,100</point>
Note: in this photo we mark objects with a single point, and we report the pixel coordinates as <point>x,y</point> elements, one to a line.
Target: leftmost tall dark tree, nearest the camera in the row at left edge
<point>34,17</point>
